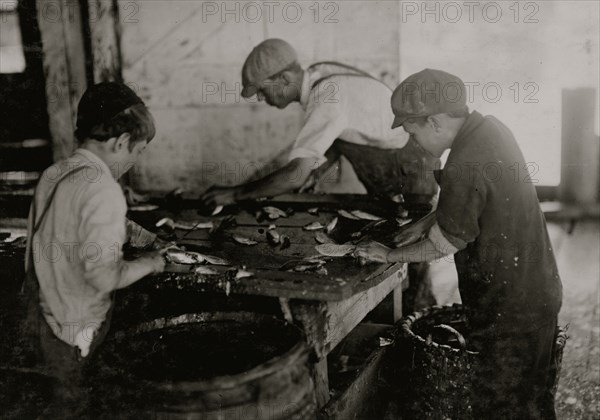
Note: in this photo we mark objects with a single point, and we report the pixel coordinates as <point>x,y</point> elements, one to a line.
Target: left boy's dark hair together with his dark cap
<point>110,109</point>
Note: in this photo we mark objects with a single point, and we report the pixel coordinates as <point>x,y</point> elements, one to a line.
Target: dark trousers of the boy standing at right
<point>515,375</point>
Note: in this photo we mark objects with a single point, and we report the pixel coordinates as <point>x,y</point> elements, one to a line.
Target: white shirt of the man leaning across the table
<point>352,108</point>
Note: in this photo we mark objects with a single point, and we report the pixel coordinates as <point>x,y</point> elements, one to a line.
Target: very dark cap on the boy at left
<point>101,102</point>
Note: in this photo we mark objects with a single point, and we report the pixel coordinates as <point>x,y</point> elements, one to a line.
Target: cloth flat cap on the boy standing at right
<point>428,92</point>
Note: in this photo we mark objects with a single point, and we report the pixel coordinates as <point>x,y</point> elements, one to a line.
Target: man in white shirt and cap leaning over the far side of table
<point>346,114</point>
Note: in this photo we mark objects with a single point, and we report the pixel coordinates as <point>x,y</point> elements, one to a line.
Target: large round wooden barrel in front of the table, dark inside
<point>222,365</point>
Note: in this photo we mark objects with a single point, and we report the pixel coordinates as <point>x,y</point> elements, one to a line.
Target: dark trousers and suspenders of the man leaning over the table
<point>386,173</point>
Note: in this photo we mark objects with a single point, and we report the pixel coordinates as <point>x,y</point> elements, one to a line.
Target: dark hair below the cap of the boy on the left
<point>135,120</point>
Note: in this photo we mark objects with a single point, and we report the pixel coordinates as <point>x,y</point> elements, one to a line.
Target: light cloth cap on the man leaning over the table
<point>266,59</point>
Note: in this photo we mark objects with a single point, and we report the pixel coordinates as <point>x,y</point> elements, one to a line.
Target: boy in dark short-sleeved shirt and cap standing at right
<point>489,217</point>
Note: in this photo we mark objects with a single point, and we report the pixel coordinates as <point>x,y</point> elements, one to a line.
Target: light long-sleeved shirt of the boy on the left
<point>77,250</point>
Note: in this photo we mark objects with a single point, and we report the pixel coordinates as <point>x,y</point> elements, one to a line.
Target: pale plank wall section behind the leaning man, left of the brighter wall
<point>185,58</point>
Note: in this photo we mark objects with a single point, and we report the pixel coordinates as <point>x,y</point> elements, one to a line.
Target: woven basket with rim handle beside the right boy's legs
<point>436,376</point>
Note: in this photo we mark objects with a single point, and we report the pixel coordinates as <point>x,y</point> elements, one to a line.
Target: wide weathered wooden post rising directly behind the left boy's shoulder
<point>64,69</point>
